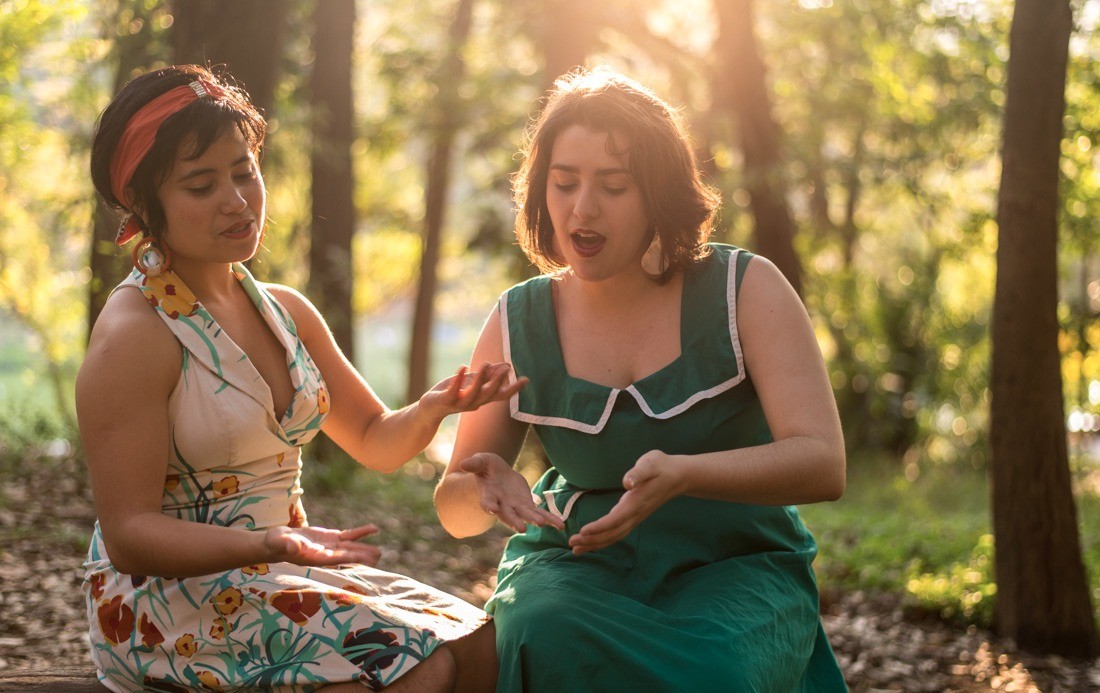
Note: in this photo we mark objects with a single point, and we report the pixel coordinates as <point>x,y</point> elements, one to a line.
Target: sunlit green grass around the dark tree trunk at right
<point>929,540</point>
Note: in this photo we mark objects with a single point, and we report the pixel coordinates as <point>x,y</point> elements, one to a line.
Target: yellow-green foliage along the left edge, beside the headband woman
<point>43,202</point>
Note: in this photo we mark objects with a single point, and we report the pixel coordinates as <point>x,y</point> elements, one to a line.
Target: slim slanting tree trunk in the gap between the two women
<point>448,118</point>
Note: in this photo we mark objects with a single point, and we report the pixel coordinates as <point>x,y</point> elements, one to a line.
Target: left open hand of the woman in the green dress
<point>503,492</point>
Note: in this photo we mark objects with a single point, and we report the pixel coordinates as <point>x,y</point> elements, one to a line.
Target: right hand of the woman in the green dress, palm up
<point>655,479</point>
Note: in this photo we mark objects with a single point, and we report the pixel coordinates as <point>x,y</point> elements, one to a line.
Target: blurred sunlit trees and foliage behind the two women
<point>857,145</point>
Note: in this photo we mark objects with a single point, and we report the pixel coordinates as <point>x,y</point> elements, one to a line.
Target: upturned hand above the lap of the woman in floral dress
<point>321,547</point>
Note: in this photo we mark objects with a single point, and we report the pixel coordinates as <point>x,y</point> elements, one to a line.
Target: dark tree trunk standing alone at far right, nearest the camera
<point>1042,593</point>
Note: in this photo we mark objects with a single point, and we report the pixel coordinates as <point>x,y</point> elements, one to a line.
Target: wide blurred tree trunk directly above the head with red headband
<point>246,36</point>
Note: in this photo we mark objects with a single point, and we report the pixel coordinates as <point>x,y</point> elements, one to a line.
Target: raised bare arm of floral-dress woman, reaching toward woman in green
<point>379,438</point>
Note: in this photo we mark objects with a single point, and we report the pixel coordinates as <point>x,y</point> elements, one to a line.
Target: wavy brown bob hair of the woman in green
<point>659,157</point>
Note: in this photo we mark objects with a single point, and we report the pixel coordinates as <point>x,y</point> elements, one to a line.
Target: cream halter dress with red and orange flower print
<point>272,626</point>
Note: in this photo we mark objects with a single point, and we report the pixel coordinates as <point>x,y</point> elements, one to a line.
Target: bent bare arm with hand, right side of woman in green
<point>807,461</point>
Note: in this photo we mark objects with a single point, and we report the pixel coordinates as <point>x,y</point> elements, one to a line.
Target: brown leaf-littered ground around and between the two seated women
<point>47,515</point>
